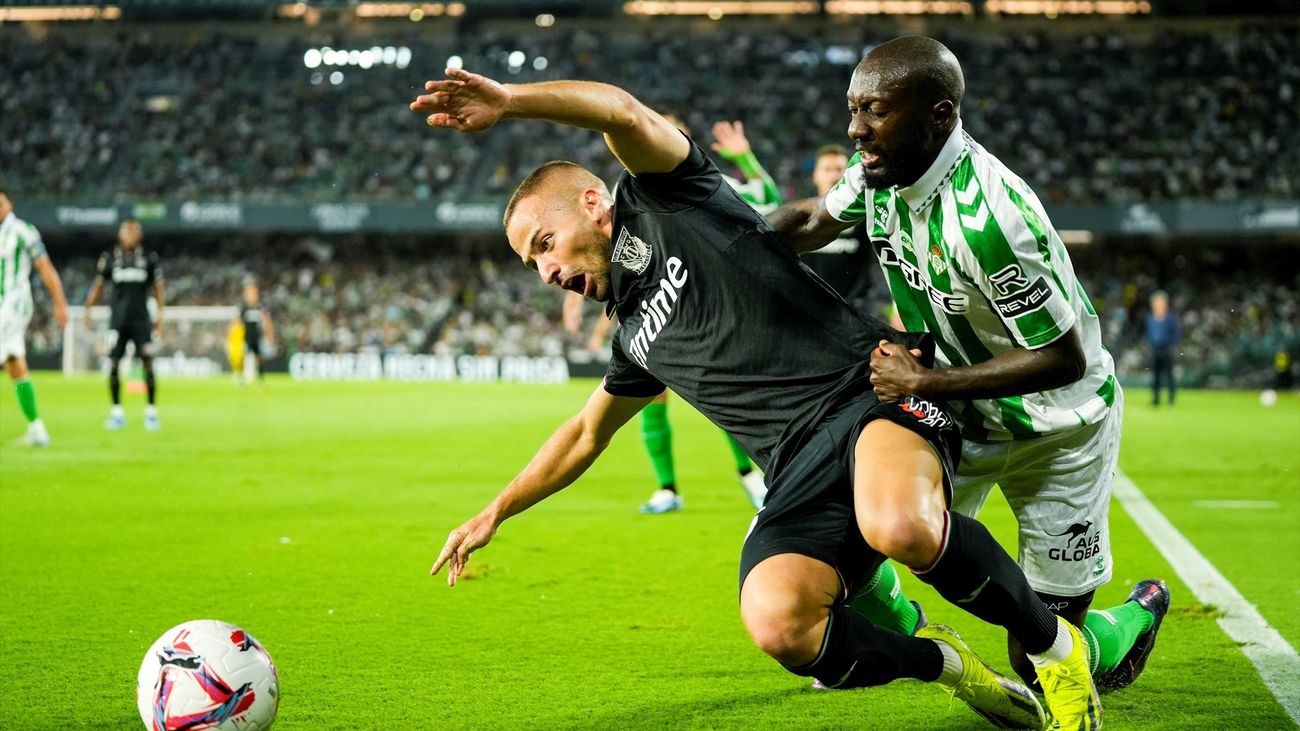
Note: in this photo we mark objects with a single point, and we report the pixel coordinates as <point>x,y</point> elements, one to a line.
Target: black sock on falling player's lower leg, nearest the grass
<point>857,655</point>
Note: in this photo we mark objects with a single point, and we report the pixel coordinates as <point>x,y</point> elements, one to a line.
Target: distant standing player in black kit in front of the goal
<point>135,274</point>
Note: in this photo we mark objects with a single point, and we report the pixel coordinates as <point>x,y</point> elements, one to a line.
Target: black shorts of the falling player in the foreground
<point>809,508</point>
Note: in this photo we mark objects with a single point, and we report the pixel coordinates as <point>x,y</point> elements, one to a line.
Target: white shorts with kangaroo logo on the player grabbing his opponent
<point>1059,488</point>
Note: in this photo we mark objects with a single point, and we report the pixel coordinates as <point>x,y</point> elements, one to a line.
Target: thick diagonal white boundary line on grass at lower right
<point>1276,660</point>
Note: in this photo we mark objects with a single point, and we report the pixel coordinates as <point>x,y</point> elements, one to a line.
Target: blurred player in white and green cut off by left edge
<point>21,249</point>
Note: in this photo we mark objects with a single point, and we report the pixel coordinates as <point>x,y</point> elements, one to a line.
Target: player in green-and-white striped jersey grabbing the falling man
<point>970,256</point>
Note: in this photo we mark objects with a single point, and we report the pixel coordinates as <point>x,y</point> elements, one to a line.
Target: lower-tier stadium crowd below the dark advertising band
<point>371,300</point>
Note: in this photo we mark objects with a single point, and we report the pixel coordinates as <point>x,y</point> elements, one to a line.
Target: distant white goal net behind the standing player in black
<point>193,343</point>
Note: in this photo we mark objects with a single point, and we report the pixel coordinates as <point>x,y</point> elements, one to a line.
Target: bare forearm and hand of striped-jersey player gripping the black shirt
<point>1015,373</point>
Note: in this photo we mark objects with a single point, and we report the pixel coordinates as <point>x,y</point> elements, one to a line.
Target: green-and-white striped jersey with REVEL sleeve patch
<point>970,256</point>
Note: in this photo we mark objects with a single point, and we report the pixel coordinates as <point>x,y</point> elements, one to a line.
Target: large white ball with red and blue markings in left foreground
<point>207,676</point>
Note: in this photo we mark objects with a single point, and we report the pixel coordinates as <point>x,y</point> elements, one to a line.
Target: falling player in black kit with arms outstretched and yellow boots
<point>713,305</point>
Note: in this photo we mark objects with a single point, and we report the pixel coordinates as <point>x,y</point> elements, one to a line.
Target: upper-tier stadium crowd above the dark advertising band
<point>207,115</point>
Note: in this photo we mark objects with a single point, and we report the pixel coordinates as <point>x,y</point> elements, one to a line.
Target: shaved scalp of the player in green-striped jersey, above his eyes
<point>917,67</point>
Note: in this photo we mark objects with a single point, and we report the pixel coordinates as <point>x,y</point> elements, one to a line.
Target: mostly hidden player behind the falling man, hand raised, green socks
<point>760,191</point>
